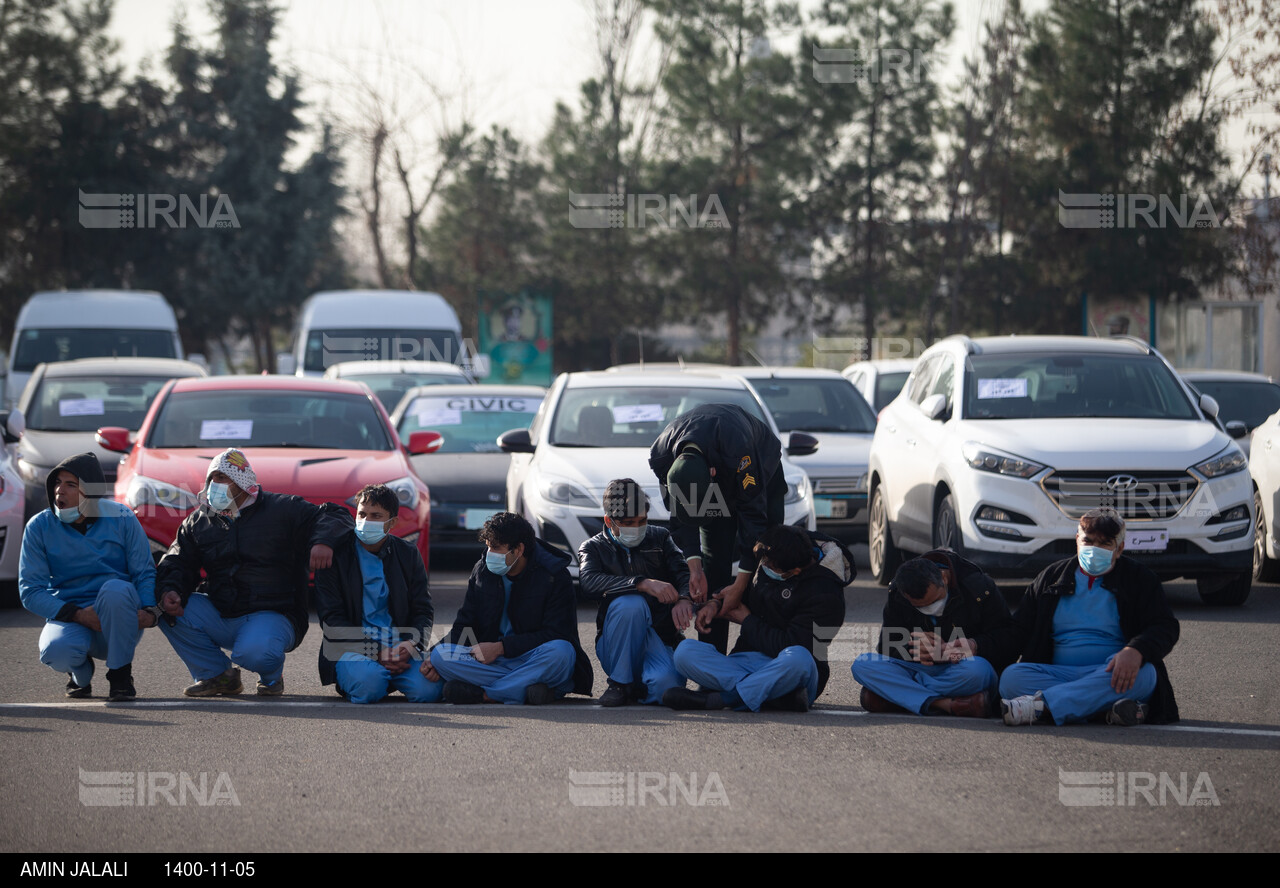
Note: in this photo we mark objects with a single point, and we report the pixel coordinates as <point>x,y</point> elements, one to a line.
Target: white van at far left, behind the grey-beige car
<point>89,324</point>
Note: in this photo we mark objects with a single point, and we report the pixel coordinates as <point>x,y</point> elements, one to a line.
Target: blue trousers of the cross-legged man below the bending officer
<point>753,676</point>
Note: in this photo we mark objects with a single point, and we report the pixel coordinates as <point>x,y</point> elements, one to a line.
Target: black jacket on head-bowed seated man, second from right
<point>975,610</point>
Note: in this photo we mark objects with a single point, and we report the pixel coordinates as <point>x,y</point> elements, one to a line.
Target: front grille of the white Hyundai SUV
<point>1136,496</point>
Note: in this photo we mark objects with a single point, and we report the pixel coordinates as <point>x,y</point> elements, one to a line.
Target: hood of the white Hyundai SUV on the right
<point>1100,445</point>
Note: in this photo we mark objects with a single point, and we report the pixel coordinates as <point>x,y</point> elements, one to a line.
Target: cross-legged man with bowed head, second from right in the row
<point>945,638</point>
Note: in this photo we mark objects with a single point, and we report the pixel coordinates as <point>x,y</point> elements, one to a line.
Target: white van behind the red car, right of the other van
<point>374,326</point>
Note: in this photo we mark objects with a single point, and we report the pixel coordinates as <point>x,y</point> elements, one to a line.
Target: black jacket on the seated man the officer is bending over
<point>807,610</point>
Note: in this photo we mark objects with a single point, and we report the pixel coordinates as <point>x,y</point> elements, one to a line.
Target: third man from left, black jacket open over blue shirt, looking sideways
<point>376,610</point>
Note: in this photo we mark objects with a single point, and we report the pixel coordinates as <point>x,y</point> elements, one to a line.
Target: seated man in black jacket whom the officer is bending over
<point>796,598</point>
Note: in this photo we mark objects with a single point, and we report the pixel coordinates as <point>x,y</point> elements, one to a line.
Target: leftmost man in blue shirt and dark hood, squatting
<point>86,569</point>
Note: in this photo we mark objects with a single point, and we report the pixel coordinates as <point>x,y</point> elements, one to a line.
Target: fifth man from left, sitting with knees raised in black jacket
<point>643,584</point>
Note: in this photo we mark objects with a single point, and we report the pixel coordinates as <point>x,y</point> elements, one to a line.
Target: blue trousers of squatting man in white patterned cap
<point>258,642</point>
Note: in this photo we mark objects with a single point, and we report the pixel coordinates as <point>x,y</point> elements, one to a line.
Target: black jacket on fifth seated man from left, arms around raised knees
<point>609,570</point>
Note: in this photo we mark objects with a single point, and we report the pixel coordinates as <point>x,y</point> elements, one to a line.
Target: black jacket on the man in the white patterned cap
<point>257,562</point>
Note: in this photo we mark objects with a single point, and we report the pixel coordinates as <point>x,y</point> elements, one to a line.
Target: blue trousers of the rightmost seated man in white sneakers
<point>1075,694</point>
